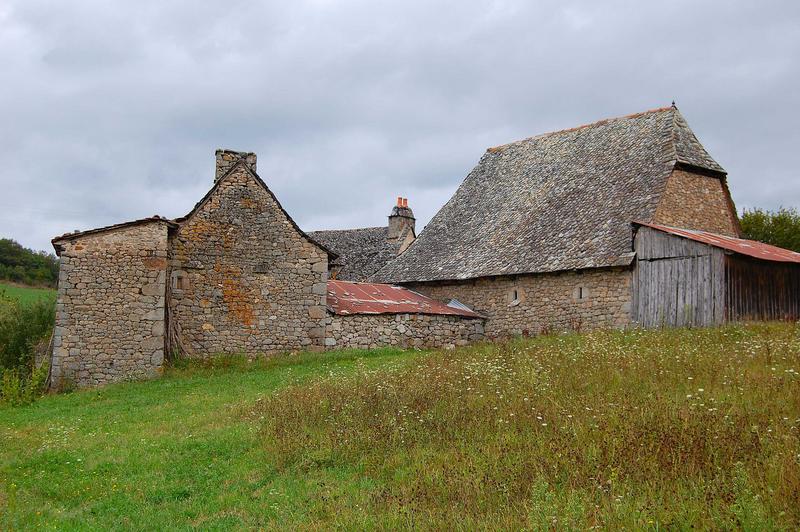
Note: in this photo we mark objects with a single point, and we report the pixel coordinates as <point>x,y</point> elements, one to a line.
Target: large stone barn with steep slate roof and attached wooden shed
<point>539,235</point>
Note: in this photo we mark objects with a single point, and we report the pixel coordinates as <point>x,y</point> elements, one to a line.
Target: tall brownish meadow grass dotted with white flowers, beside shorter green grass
<point>638,429</point>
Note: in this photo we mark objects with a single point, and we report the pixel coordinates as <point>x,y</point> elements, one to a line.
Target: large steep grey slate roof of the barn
<point>558,201</point>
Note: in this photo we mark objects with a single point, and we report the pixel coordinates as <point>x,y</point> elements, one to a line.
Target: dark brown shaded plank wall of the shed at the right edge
<point>761,290</point>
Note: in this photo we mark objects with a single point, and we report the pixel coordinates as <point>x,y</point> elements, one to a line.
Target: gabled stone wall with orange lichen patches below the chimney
<point>243,278</point>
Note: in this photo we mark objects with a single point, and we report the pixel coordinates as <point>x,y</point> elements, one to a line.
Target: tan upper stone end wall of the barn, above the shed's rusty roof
<point>695,201</point>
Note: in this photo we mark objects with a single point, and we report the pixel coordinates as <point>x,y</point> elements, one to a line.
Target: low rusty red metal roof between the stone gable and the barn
<point>347,298</point>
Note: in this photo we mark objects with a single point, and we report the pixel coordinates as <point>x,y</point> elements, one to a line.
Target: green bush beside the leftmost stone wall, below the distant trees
<point>23,327</point>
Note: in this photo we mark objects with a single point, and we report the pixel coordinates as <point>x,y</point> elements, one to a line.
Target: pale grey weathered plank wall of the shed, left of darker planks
<point>677,282</point>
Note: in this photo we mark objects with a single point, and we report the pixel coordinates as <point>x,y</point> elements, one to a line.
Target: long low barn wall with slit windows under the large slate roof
<point>536,303</point>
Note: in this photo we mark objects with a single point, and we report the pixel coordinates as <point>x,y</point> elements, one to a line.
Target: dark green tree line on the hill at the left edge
<point>26,266</point>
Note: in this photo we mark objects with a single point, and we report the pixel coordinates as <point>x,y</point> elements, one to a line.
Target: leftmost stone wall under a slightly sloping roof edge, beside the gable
<point>110,308</point>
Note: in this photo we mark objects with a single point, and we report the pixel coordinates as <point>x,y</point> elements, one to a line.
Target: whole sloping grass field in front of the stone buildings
<point>624,429</point>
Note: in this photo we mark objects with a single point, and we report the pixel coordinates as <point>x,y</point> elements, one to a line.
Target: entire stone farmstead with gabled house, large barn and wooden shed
<point>618,223</point>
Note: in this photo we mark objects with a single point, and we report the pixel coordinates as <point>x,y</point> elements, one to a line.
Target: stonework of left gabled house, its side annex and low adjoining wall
<point>235,275</point>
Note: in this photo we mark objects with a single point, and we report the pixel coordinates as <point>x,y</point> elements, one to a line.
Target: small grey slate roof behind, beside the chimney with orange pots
<point>361,252</point>
